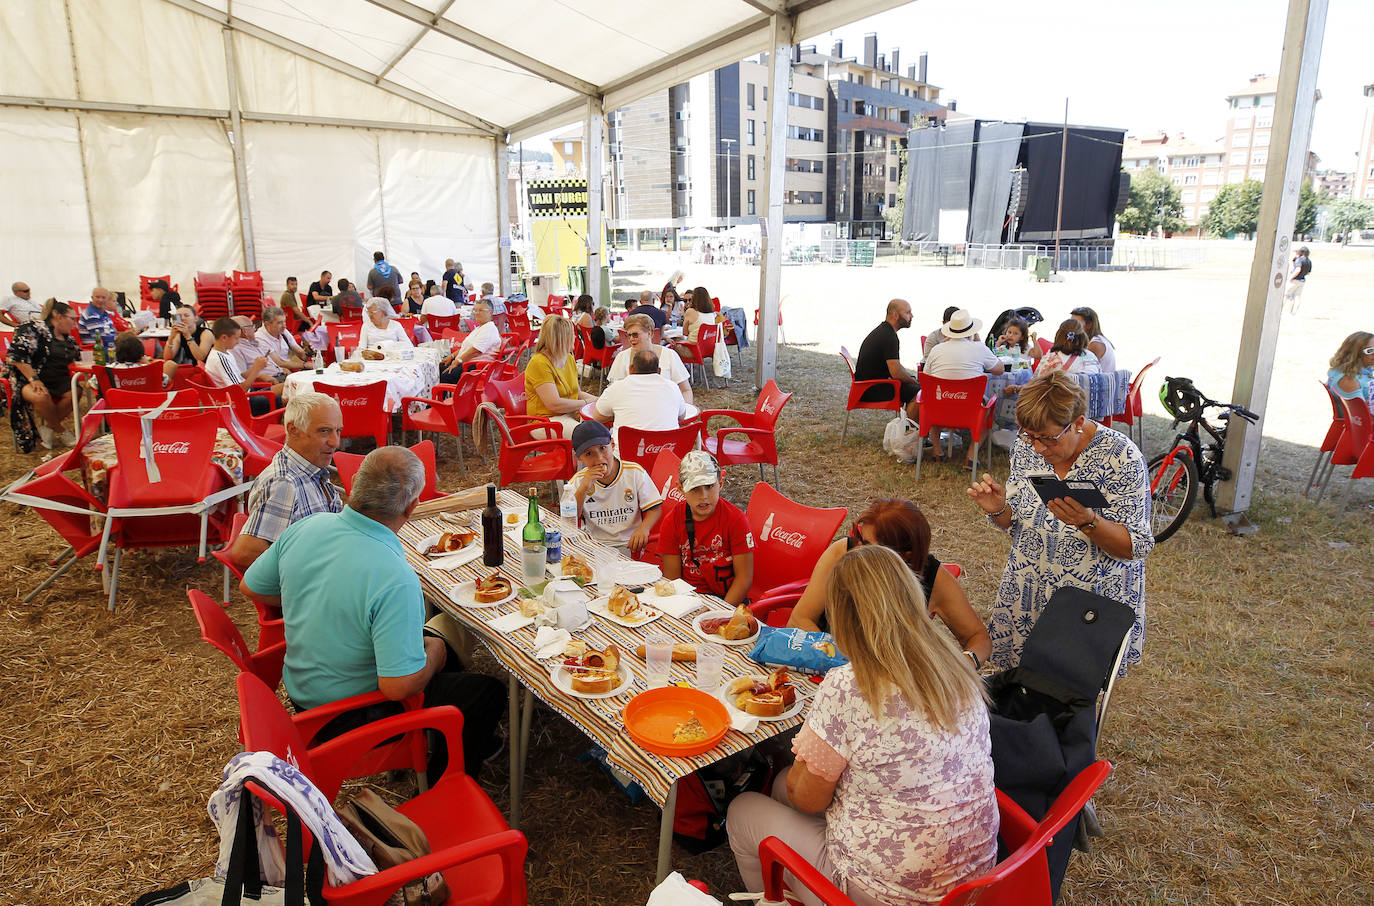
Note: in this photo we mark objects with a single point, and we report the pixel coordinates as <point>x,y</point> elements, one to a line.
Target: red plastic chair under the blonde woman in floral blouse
<point>1023,879</point>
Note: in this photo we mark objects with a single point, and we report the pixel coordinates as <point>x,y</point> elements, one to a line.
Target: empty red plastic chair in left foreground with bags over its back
<point>480,857</point>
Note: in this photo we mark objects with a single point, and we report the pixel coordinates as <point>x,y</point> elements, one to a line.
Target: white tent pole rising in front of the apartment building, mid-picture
<point>776,159</point>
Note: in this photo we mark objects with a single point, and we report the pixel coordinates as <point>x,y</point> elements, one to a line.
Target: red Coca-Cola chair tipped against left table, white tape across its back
<point>186,483</point>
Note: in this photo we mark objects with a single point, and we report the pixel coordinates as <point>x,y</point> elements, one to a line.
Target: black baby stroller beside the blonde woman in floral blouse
<point>1046,714</point>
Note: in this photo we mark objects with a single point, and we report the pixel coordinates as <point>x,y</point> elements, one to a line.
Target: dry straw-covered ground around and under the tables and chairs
<point>1243,746</point>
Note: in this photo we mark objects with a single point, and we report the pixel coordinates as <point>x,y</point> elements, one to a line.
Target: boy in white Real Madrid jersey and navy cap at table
<point>616,500</point>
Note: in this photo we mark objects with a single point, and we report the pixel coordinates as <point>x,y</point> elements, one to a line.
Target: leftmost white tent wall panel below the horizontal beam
<point>47,218</point>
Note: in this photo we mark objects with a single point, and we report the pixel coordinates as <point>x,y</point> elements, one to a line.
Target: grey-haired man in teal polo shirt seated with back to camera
<point>355,615</point>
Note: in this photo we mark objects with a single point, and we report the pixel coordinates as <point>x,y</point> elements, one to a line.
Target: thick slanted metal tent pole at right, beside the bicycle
<point>1292,130</point>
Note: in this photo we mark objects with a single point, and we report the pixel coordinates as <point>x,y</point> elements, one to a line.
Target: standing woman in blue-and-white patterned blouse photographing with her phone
<point>1063,542</point>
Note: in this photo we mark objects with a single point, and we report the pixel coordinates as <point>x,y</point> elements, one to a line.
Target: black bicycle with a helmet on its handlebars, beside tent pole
<point>1177,475</point>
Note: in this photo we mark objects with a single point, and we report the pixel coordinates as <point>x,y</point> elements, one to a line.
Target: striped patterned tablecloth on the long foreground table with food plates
<point>600,720</point>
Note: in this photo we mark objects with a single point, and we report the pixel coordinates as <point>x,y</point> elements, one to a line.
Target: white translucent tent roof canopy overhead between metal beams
<point>516,71</point>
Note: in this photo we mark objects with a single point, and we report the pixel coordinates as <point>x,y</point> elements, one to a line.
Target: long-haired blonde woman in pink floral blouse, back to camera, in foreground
<point>891,795</point>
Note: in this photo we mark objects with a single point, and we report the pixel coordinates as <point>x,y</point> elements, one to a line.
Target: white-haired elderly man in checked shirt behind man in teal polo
<point>297,482</point>
